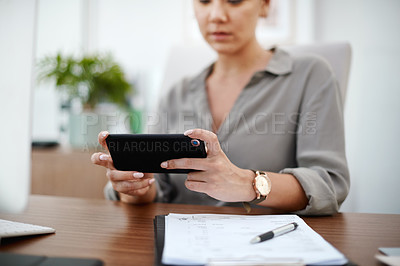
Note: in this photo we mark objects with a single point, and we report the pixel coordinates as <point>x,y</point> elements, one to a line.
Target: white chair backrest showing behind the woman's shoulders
<point>189,60</point>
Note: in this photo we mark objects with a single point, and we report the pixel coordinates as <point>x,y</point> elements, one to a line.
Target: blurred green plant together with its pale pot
<point>92,81</point>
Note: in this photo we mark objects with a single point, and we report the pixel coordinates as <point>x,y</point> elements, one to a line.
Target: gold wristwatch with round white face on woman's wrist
<point>262,187</point>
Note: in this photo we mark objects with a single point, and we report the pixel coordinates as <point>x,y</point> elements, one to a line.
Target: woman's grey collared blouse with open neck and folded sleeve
<point>288,119</point>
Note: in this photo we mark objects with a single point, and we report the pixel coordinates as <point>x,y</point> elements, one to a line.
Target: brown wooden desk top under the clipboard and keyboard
<point>121,234</point>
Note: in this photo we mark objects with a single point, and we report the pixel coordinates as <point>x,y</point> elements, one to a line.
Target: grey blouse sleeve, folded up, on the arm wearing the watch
<point>322,167</point>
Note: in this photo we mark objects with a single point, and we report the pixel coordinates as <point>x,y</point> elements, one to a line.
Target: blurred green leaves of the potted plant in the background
<point>93,79</point>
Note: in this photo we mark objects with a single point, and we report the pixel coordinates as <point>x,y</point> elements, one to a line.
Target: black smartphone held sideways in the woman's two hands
<point>145,152</point>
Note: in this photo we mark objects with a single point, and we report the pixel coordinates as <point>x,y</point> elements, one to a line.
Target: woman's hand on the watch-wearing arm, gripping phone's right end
<point>218,176</point>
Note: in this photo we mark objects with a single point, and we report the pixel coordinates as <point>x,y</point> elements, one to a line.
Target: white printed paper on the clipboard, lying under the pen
<point>197,239</point>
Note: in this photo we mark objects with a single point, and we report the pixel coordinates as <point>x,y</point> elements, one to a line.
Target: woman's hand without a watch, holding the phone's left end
<point>133,187</point>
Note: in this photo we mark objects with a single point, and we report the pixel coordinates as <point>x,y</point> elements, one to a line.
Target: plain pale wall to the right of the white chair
<point>372,109</point>
